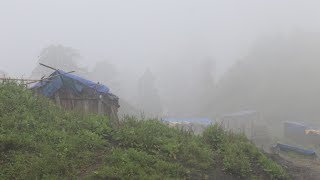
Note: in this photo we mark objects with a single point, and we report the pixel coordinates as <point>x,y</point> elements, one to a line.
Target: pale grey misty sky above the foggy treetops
<point>137,34</point>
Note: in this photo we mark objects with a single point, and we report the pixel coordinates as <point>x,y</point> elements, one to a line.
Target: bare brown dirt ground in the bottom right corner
<point>299,169</point>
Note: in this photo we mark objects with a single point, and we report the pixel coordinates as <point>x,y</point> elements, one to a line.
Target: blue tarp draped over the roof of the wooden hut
<point>69,81</point>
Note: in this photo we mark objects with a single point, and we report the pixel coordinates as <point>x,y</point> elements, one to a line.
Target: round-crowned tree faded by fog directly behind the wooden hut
<point>57,56</point>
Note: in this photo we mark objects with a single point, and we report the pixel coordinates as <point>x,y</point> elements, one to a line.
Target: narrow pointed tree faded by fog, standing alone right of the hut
<point>148,97</point>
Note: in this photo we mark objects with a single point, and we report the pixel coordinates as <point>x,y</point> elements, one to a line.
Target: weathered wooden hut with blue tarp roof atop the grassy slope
<point>75,93</point>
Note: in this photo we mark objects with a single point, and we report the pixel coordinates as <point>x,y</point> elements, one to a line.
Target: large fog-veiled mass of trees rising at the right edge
<point>279,78</point>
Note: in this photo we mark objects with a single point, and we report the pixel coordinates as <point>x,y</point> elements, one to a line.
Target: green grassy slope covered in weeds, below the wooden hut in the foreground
<point>40,140</point>
